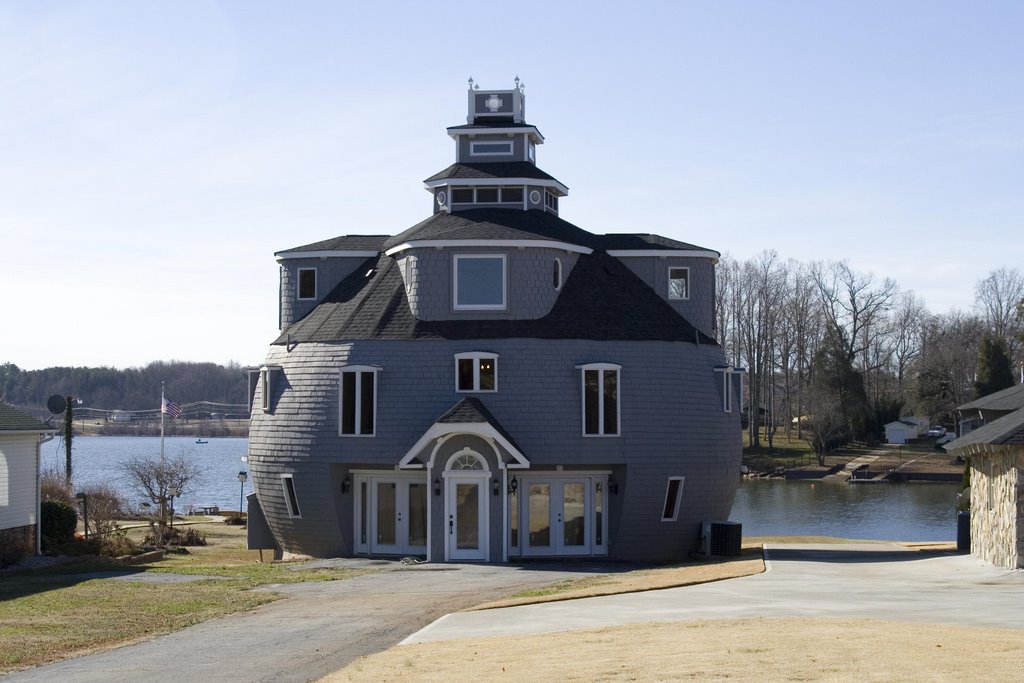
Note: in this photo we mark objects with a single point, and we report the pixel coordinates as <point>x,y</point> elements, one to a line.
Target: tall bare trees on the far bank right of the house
<point>834,355</point>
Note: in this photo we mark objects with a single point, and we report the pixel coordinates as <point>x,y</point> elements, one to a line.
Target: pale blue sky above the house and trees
<point>154,156</point>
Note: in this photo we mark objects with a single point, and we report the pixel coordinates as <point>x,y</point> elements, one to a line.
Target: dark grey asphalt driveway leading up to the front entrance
<point>320,628</point>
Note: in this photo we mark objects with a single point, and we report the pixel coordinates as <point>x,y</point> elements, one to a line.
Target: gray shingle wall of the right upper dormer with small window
<point>700,309</point>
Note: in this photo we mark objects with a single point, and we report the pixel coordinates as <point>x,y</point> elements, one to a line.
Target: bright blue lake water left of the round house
<point>98,460</point>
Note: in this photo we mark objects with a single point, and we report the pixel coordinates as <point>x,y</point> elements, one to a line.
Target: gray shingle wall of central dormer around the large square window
<point>428,274</point>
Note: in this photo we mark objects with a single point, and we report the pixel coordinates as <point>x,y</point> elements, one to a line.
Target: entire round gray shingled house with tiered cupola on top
<point>495,382</point>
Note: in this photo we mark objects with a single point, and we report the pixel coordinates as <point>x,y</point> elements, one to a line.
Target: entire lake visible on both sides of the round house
<point>766,507</point>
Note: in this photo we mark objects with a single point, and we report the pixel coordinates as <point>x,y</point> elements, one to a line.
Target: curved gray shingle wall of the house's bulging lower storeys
<point>672,424</point>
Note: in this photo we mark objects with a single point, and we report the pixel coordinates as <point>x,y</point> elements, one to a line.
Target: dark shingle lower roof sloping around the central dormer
<point>602,301</point>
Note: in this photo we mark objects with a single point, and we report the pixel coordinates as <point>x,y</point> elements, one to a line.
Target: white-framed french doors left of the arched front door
<point>392,515</point>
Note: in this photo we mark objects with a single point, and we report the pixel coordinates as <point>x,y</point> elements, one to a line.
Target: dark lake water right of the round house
<point>885,513</point>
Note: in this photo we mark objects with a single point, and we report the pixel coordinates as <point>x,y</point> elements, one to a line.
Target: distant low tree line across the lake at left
<point>129,390</point>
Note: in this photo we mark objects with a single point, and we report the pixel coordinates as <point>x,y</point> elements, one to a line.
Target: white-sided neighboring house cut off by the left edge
<point>21,438</point>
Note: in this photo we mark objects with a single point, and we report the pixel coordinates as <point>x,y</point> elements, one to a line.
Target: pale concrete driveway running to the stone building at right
<point>862,581</point>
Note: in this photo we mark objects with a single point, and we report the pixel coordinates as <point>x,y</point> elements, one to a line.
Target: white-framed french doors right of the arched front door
<point>563,516</point>
